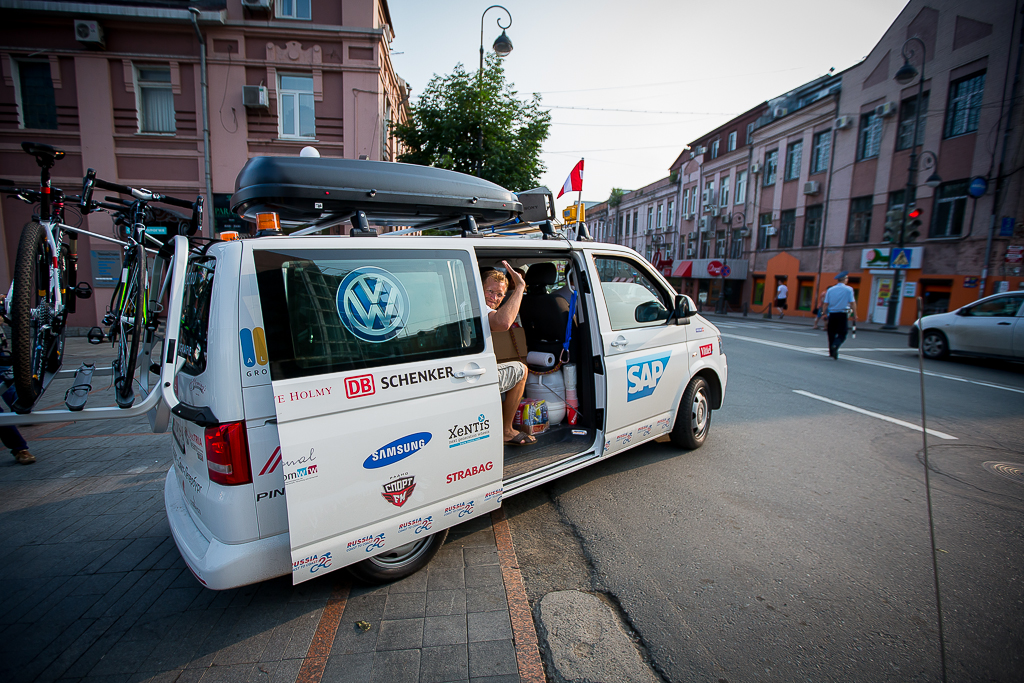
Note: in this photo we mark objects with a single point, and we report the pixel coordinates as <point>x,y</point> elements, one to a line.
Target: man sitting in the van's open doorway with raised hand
<point>511,375</point>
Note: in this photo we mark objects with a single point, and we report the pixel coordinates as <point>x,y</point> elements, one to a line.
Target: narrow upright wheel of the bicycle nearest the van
<point>130,326</point>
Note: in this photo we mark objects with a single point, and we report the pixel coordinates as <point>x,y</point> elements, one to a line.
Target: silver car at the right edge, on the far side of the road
<point>993,327</point>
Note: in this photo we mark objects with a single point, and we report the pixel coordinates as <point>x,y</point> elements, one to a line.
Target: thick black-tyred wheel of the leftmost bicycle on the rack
<point>37,329</point>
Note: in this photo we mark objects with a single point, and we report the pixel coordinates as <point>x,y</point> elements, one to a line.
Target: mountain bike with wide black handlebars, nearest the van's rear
<point>134,312</point>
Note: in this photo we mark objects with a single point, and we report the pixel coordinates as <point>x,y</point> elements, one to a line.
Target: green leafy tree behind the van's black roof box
<point>446,125</point>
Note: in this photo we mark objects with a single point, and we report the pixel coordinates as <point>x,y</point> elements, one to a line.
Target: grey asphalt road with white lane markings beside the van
<point>795,545</point>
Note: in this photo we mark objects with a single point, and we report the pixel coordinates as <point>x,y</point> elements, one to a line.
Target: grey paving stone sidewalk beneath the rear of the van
<point>96,590</point>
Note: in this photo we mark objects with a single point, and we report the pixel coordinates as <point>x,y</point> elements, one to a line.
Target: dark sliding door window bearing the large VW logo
<point>328,312</point>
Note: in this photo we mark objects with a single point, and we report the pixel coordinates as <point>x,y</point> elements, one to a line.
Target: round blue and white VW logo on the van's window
<point>373,305</point>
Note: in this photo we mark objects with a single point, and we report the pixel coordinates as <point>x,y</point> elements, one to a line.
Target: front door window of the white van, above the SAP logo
<point>627,289</point>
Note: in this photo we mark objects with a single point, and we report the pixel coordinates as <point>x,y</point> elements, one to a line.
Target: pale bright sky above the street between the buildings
<point>630,84</point>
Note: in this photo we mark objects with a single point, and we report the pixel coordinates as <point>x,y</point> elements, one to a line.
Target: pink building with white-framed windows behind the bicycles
<point>120,88</point>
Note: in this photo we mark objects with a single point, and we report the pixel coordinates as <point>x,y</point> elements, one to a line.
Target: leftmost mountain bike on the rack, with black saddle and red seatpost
<point>39,301</point>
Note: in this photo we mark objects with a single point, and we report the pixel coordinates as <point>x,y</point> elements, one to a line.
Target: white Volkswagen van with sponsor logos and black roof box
<point>339,402</point>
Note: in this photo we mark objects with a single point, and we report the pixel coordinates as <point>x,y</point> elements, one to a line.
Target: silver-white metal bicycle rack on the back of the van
<point>160,399</point>
